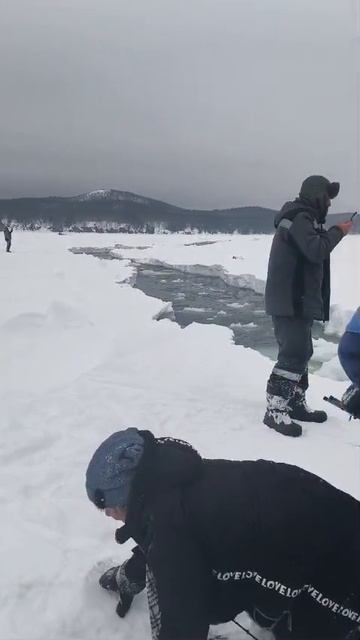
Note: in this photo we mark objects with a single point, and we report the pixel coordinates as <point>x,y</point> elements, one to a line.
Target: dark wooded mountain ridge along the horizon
<point>113,210</point>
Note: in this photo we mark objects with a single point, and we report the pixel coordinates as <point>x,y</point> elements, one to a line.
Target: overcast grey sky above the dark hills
<point>203,103</point>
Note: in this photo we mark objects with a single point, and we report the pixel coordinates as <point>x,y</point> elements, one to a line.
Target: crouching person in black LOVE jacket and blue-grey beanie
<point>218,537</point>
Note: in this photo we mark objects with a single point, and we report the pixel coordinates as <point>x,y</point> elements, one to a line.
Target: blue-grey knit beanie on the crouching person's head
<point>112,467</point>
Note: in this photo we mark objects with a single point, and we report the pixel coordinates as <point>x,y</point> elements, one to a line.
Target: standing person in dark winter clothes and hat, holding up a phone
<point>297,293</point>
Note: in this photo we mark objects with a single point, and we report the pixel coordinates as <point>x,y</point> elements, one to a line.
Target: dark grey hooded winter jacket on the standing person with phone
<point>298,280</point>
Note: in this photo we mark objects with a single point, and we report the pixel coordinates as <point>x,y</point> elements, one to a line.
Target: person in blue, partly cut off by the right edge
<point>349,356</point>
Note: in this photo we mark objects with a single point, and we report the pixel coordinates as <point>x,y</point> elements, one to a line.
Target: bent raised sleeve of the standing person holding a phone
<point>314,246</point>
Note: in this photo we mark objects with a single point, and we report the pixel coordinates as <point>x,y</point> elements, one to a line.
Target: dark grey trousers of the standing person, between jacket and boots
<point>294,339</point>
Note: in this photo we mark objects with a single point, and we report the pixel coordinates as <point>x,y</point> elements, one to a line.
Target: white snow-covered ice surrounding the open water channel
<point>81,357</point>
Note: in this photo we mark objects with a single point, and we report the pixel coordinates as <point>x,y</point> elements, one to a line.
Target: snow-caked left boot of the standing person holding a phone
<point>279,393</point>
